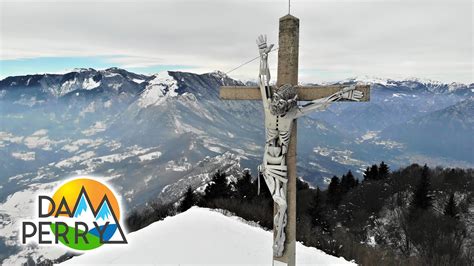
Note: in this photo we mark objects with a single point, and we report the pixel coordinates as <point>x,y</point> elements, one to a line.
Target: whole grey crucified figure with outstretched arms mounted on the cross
<point>281,108</point>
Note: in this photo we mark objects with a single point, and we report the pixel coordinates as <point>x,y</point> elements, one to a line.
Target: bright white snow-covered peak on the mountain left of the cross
<point>158,89</point>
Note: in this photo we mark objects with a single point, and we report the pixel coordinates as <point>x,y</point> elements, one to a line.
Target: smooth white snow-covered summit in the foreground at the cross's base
<point>200,237</point>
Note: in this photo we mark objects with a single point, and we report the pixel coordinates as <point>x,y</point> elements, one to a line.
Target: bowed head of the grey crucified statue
<point>283,99</point>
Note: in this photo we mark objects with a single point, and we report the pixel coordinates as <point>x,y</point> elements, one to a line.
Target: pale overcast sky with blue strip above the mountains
<point>338,39</point>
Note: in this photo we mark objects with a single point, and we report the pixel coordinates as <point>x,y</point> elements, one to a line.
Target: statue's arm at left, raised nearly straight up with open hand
<point>264,73</point>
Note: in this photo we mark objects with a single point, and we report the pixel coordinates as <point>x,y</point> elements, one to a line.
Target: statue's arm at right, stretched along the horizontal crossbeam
<point>347,93</point>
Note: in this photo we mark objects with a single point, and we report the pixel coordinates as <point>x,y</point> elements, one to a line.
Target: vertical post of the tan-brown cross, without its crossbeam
<point>288,74</point>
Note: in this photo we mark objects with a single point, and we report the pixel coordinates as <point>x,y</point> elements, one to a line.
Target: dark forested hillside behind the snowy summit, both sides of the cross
<point>416,215</point>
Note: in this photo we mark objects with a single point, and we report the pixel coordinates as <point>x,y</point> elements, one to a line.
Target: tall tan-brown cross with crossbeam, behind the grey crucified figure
<point>288,74</point>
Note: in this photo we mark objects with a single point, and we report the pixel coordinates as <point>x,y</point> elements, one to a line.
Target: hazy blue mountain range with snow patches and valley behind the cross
<point>152,136</point>
